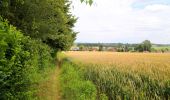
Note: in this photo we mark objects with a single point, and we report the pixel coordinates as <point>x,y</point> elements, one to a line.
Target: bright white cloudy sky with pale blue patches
<point>125,21</point>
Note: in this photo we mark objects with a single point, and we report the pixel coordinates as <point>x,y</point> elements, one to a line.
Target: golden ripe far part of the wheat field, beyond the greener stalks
<point>155,63</point>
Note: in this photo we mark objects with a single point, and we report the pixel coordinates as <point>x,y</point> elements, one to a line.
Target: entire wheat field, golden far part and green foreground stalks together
<point>127,76</point>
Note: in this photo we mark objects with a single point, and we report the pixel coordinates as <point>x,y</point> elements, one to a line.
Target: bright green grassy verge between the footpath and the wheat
<point>74,87</point>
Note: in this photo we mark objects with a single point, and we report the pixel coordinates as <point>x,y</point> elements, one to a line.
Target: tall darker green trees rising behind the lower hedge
<point>47,20</point>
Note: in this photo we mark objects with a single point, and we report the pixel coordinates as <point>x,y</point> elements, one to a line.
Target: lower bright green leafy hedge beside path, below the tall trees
<point>22,60</point>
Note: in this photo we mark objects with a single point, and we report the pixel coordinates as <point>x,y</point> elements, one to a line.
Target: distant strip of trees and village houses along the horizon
<point>145,46</point>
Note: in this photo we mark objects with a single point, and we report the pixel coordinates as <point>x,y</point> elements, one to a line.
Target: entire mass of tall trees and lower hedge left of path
<point>31,32</point>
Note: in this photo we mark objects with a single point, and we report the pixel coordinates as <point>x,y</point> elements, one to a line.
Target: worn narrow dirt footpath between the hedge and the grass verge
<point>50,89</point>
